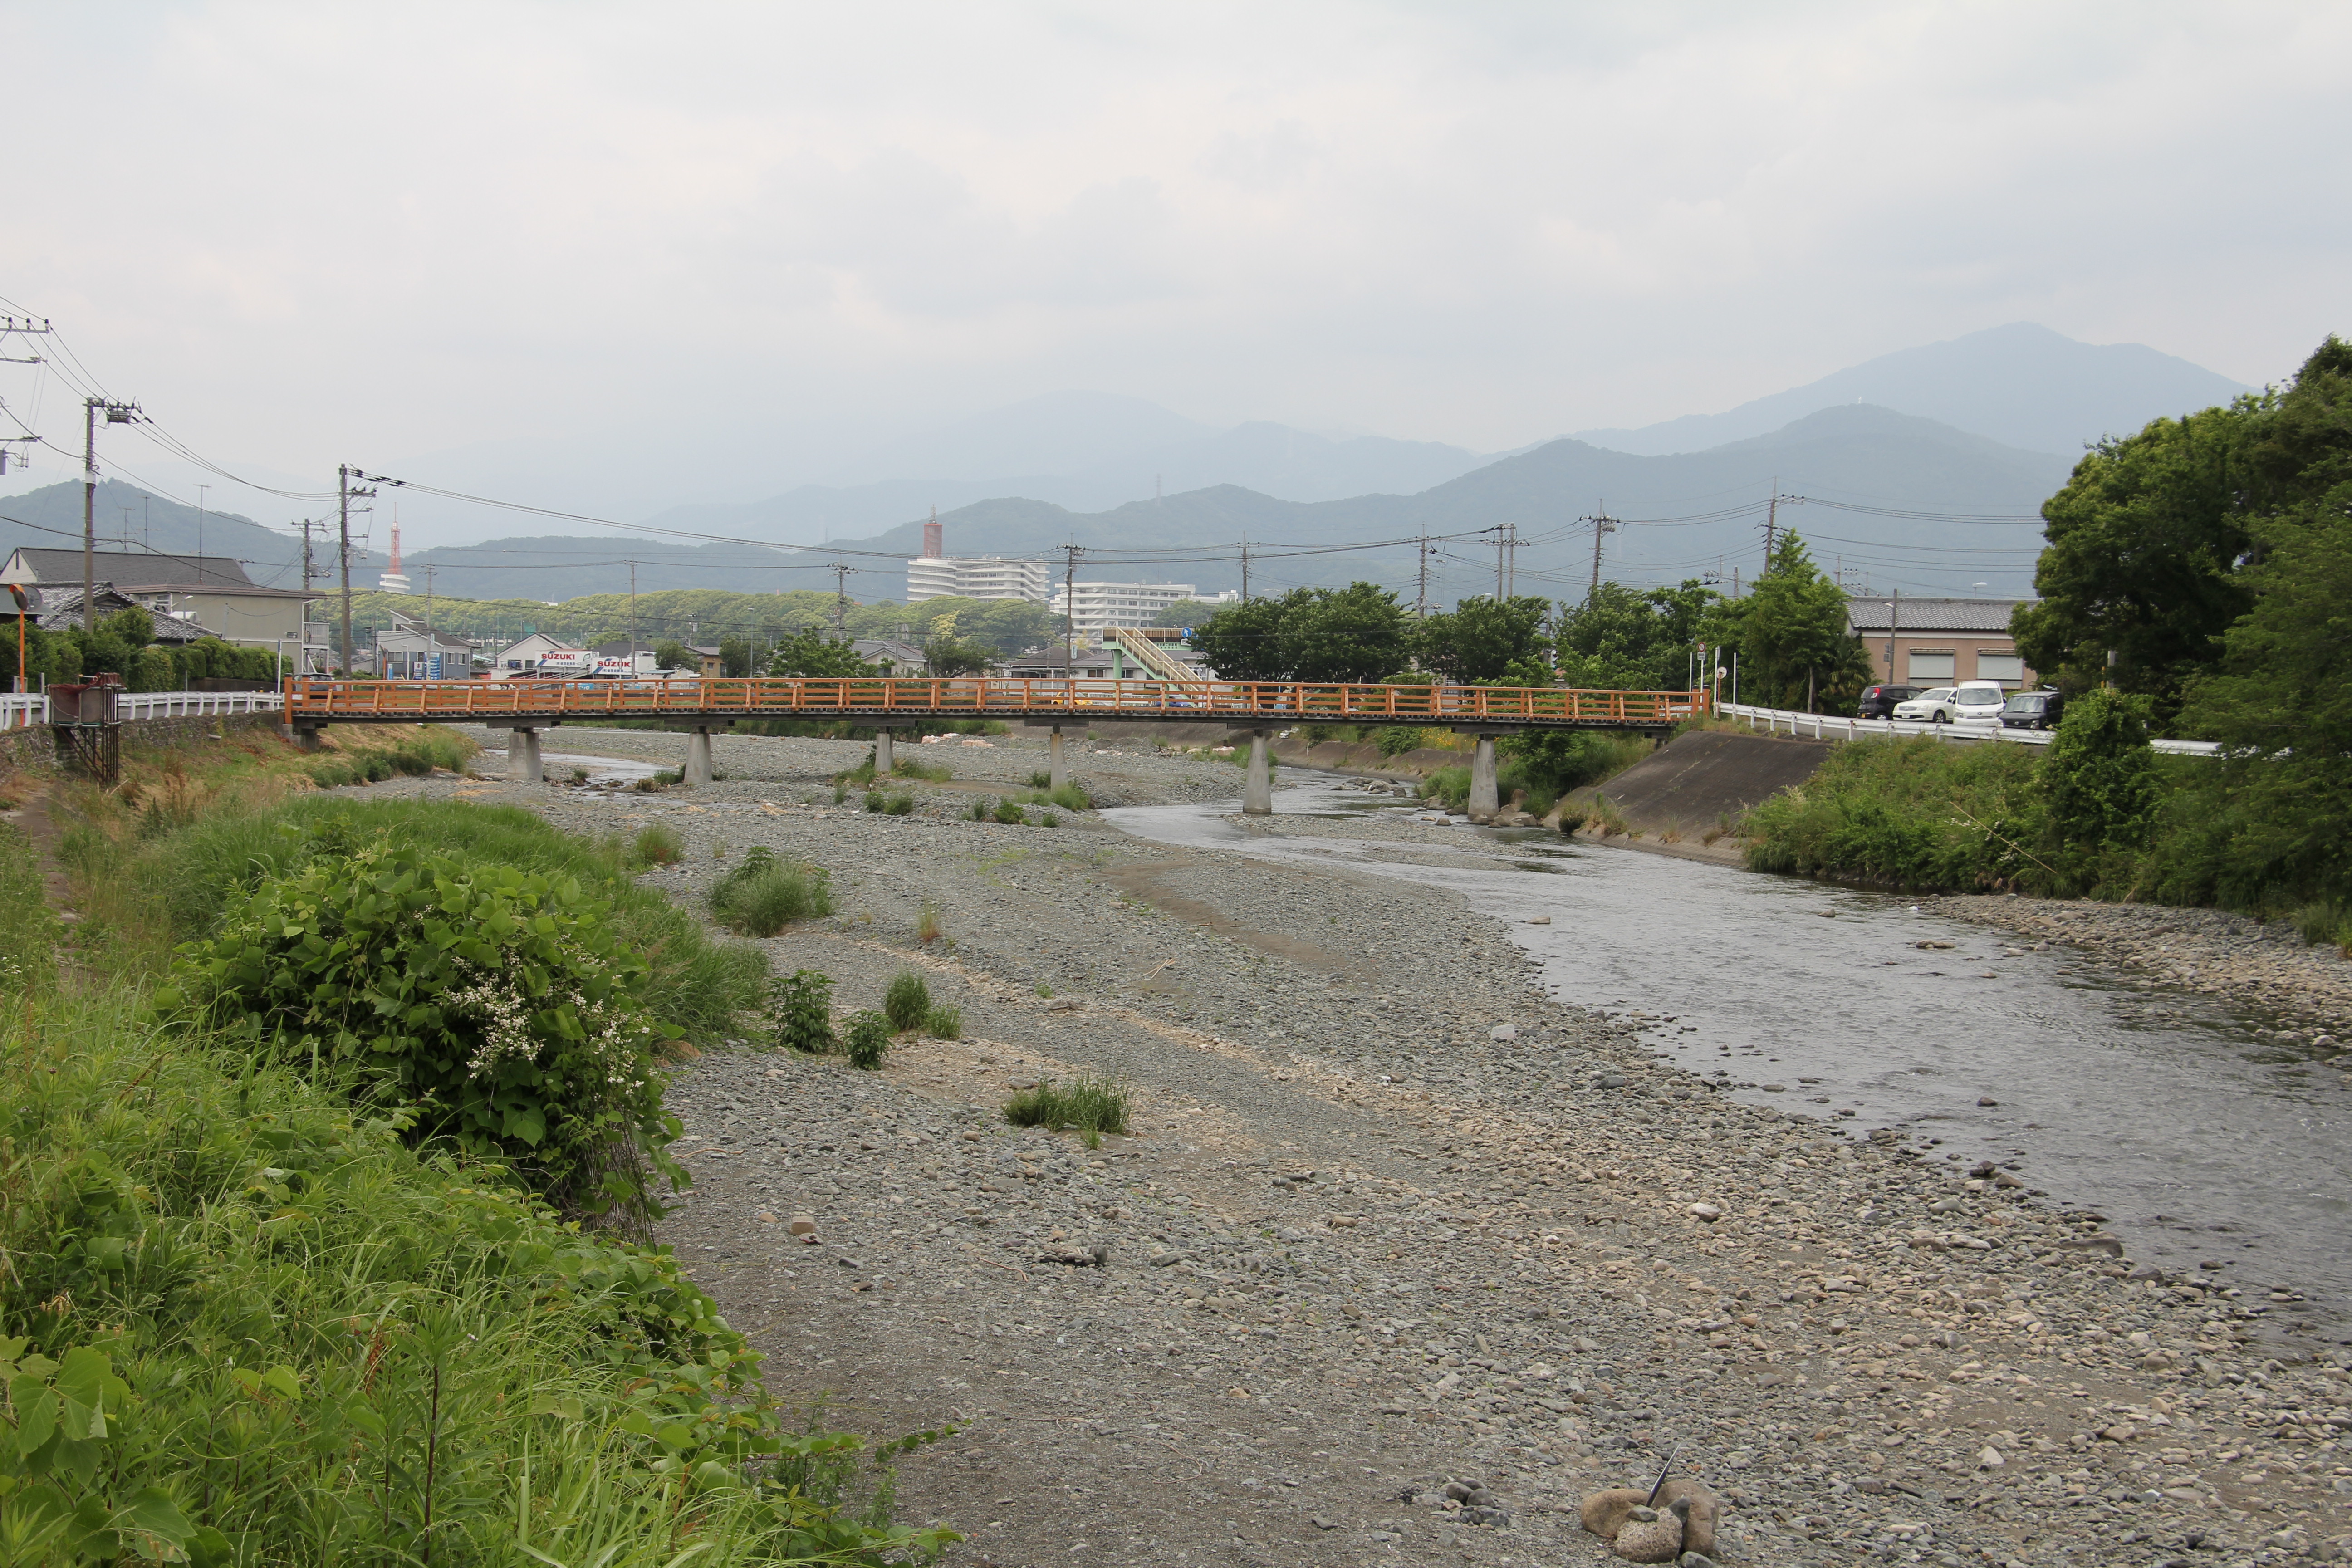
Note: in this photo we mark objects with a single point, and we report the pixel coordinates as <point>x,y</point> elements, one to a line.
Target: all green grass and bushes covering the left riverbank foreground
<point>307,1127</point>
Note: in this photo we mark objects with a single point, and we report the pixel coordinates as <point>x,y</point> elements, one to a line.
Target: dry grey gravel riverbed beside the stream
<point>1391,1219</point>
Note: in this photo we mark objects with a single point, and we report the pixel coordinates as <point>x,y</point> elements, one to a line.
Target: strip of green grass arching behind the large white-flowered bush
<point>187,878</point>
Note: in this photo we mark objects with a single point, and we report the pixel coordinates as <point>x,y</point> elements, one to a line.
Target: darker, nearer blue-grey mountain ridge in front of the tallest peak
<point>1850,455</point>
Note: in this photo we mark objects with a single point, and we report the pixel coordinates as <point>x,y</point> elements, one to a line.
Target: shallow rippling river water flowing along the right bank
<point>2160,1111</point>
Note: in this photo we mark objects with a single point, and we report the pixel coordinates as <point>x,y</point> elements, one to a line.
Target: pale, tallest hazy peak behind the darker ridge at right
<point>2022,384</point>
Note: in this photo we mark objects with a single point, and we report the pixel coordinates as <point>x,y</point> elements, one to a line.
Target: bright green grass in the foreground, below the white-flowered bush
<point>335,1351</point>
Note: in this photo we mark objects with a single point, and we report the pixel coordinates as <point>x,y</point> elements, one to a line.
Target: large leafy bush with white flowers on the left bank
<point>486,1005</point>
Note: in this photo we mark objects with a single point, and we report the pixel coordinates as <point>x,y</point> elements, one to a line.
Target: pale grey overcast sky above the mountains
<point>714,250</point>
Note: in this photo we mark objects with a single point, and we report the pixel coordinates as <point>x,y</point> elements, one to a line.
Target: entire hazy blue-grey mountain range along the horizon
<point>1979,427</point>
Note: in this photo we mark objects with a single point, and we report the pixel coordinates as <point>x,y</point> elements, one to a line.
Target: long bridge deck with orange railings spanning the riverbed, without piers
<point>1231,704</point>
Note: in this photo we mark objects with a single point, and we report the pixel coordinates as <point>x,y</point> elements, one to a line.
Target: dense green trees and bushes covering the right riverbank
<point>2231,629</point>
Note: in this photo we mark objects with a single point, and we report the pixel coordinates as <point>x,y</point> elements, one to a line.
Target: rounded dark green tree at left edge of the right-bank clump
<point>2144,556</point>
